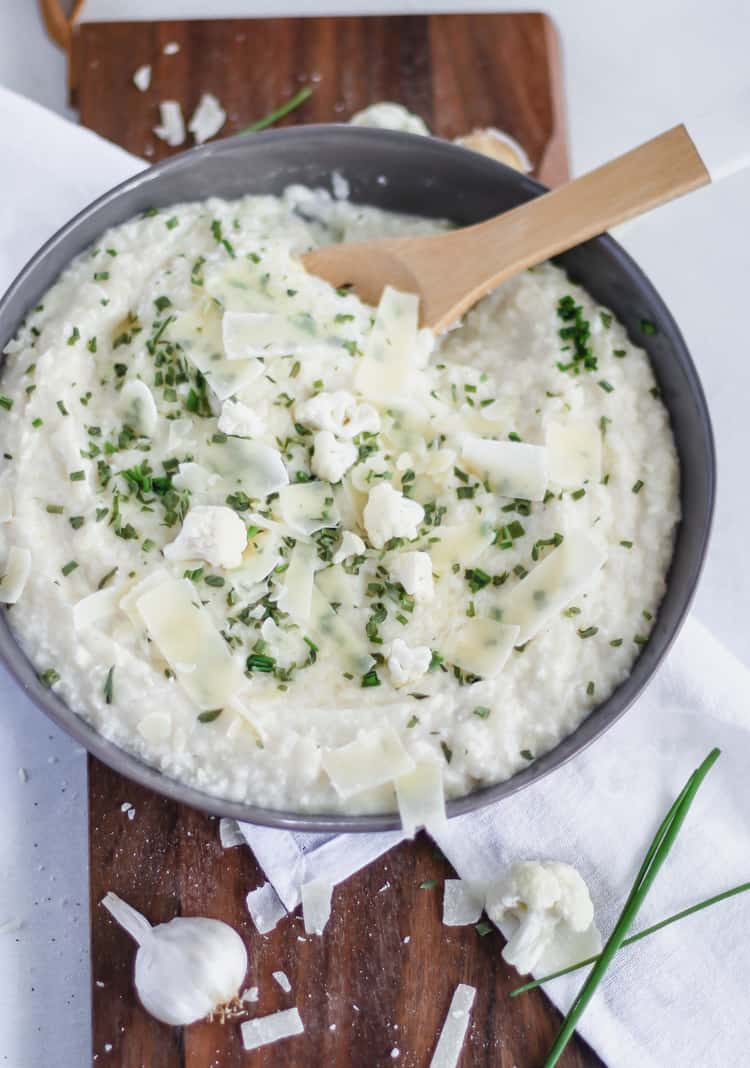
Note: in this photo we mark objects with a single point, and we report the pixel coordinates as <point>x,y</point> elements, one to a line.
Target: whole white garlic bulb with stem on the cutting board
<point>186,969</point>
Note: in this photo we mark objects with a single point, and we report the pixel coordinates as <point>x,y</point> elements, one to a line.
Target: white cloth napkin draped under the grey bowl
<point>679,998</point>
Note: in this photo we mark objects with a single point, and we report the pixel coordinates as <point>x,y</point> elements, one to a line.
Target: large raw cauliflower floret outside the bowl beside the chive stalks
<point>545,910</point>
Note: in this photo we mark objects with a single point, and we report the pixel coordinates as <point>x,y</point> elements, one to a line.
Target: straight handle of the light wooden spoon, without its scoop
<point>486,255</point>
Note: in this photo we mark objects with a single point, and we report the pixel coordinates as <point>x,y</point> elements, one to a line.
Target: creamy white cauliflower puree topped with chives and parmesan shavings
<point>191,350</point>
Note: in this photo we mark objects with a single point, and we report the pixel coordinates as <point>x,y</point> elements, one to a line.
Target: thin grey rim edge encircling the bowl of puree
<point>599,721</point>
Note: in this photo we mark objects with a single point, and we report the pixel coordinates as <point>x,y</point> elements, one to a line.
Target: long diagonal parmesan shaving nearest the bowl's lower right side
<point>553,585</point>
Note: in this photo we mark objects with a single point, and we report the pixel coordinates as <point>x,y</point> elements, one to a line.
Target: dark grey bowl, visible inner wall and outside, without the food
<point>429,178</point>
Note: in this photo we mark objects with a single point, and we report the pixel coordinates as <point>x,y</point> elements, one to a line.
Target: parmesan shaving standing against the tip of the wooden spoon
<point>389,352</point>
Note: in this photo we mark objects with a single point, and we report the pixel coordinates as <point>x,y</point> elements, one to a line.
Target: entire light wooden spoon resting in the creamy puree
<point>451,272</point>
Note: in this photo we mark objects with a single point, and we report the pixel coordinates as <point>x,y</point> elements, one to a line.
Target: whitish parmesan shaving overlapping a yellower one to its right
<point>514,469</point>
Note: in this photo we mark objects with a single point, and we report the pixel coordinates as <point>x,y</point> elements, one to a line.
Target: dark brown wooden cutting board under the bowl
<point>383,976</point>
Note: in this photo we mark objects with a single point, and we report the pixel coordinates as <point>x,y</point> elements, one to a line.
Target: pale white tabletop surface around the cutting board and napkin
<point>631,71</point>
